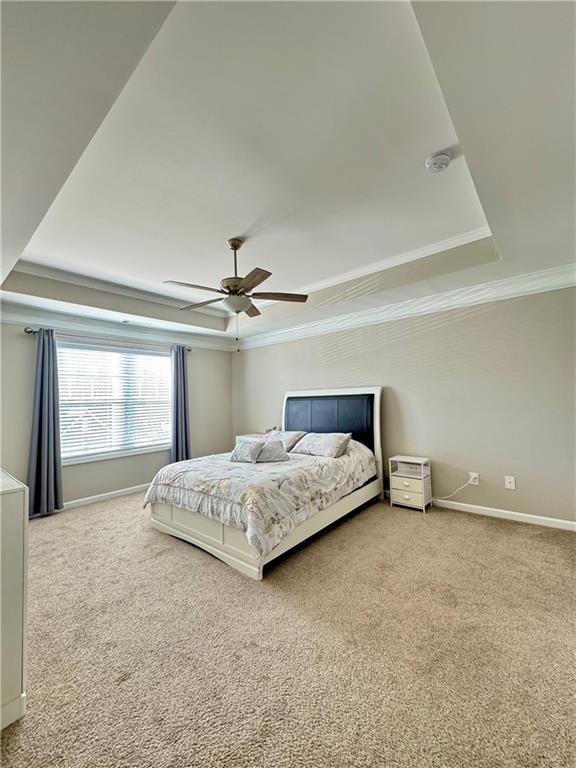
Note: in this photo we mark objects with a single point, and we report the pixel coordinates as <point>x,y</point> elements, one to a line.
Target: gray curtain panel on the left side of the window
<point>44,463</point>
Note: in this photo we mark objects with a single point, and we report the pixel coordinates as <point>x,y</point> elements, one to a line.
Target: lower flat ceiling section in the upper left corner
<point>63,65</point>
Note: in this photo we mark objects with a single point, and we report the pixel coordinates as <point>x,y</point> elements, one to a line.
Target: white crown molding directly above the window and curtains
<point>18,314</point>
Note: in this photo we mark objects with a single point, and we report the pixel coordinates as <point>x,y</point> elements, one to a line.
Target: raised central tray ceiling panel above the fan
<point>302,126</point>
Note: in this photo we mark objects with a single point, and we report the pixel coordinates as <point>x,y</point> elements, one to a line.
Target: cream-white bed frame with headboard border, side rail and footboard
<point>230,545</point>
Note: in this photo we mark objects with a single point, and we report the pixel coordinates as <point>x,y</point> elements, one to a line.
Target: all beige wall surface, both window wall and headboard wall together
<point>488,389</point>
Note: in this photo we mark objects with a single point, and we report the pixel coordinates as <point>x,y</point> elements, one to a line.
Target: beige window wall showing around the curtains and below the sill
<point>210,415</point>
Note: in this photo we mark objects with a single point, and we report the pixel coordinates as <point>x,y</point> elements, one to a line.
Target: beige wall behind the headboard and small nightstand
<point>488,389</point>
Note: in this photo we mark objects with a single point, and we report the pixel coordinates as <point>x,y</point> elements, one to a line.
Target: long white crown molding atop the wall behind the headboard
<point>551,279</point>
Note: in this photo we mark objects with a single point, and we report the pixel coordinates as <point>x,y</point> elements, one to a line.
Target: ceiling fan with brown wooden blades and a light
<point>237,296</point>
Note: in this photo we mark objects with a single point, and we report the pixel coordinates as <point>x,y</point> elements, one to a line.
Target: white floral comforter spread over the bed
<point>266,501</point>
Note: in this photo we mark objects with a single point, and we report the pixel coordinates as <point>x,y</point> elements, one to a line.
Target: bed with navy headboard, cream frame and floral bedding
<point>249,514</point>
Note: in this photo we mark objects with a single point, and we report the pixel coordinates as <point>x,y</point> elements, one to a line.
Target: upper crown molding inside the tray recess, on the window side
<point>73,278</point>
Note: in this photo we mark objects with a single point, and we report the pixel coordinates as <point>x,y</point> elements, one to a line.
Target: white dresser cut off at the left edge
<point>13,578</point>
